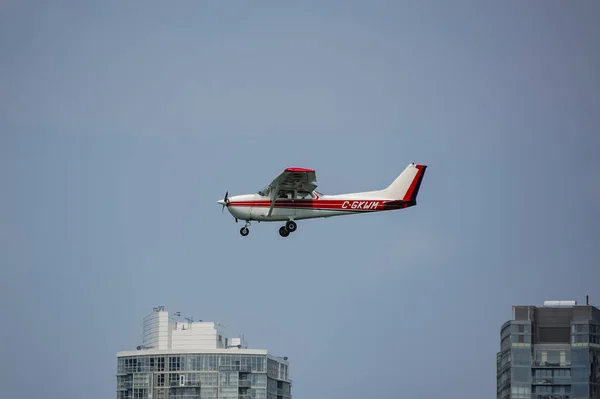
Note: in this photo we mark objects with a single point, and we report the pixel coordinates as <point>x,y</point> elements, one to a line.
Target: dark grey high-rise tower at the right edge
<point>550,352</point>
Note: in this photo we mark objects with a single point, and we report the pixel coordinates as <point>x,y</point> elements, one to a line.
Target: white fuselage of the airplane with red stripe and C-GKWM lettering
<point>254,207</point>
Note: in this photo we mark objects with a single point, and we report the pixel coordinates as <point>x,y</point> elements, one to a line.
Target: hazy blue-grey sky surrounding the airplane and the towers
<point>122,124</point>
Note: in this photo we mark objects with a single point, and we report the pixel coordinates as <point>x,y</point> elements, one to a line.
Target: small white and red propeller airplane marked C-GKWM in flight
<point>292,196</point>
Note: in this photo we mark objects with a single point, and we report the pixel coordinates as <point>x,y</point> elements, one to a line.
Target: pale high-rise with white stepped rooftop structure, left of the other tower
<point>183,359</point>
